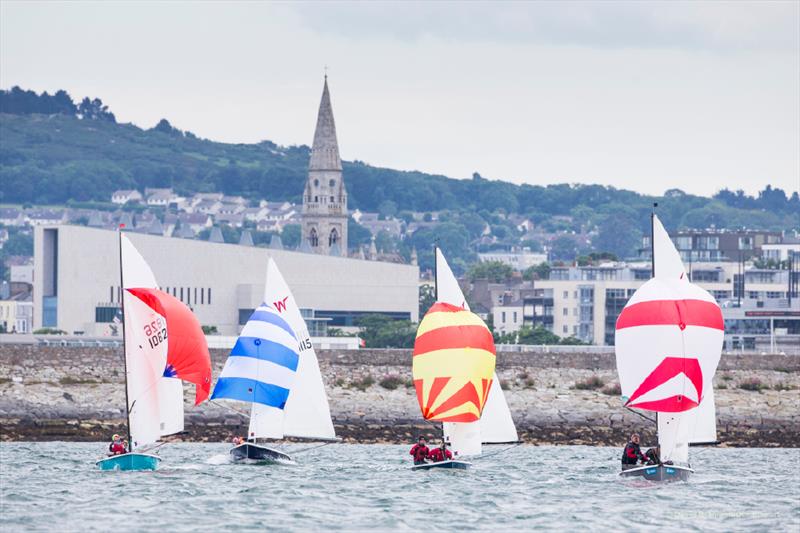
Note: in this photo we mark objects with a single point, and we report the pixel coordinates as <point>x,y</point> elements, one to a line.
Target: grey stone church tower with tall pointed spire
<point>325,198</point>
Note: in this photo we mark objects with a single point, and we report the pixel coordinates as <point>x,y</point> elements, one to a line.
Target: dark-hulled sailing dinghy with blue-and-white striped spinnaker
<point>274,368</point>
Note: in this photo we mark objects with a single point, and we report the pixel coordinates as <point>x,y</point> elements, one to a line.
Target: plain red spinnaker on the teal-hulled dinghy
<point>187,351</point>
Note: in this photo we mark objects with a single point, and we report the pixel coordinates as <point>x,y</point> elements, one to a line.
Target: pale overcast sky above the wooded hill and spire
<point>647,96</point>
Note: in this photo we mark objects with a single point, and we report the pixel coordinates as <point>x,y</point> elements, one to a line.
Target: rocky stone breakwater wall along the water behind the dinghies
<point>76,393</point>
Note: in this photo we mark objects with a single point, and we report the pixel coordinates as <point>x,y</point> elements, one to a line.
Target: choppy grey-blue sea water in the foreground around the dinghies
<point>56,487</point>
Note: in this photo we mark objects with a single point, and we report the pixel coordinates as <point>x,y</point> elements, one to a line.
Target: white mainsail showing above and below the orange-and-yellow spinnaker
<point>495,424</point>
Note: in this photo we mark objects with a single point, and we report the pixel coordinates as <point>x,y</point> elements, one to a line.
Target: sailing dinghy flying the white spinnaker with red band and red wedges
<point>668,344</point>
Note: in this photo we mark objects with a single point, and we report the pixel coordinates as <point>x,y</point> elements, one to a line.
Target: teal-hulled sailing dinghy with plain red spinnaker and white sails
<point>163,346</point>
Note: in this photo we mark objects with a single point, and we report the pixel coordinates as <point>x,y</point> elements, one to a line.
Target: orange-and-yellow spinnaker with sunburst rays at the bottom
<point>453,364</point>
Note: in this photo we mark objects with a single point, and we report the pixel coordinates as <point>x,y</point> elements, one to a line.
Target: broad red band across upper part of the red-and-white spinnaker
<point>679,313</point>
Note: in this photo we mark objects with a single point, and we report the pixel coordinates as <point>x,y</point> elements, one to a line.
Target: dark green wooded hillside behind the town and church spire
<point>53,151</point>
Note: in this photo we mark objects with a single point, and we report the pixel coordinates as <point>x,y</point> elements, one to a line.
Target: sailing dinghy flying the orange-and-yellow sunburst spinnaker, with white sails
<point>454,374</point>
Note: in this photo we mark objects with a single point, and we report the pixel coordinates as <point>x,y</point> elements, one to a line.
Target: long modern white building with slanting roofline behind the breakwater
<point>76,281</point>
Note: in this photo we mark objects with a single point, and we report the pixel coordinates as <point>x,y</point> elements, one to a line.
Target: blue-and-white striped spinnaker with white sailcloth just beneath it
<point>261,369</point>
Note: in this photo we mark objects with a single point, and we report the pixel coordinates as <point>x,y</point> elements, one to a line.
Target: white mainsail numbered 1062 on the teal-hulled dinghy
<point>144,363</point>
